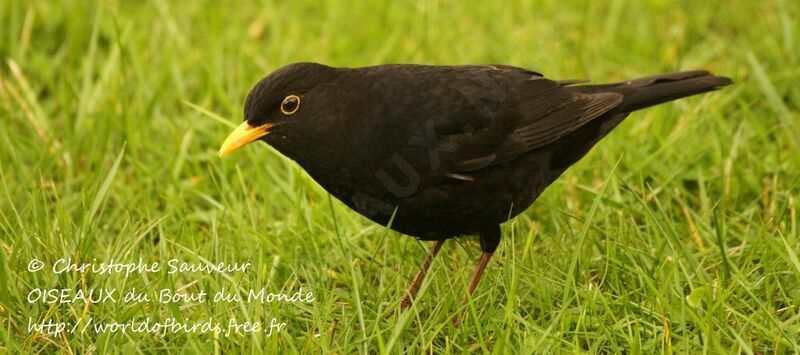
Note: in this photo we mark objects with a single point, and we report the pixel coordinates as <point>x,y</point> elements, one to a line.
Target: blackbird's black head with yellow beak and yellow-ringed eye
<point>284,107</point>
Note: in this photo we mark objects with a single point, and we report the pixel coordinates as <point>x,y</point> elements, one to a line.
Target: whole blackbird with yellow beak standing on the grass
<point>442,151</point>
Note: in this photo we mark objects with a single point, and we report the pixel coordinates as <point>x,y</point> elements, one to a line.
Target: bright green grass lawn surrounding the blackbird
<point>678,233</point>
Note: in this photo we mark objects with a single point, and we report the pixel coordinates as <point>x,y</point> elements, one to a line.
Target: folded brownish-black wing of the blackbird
<point>522,116</point>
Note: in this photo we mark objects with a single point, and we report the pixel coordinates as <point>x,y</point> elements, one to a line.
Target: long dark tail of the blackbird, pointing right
<point>653,90</point>
